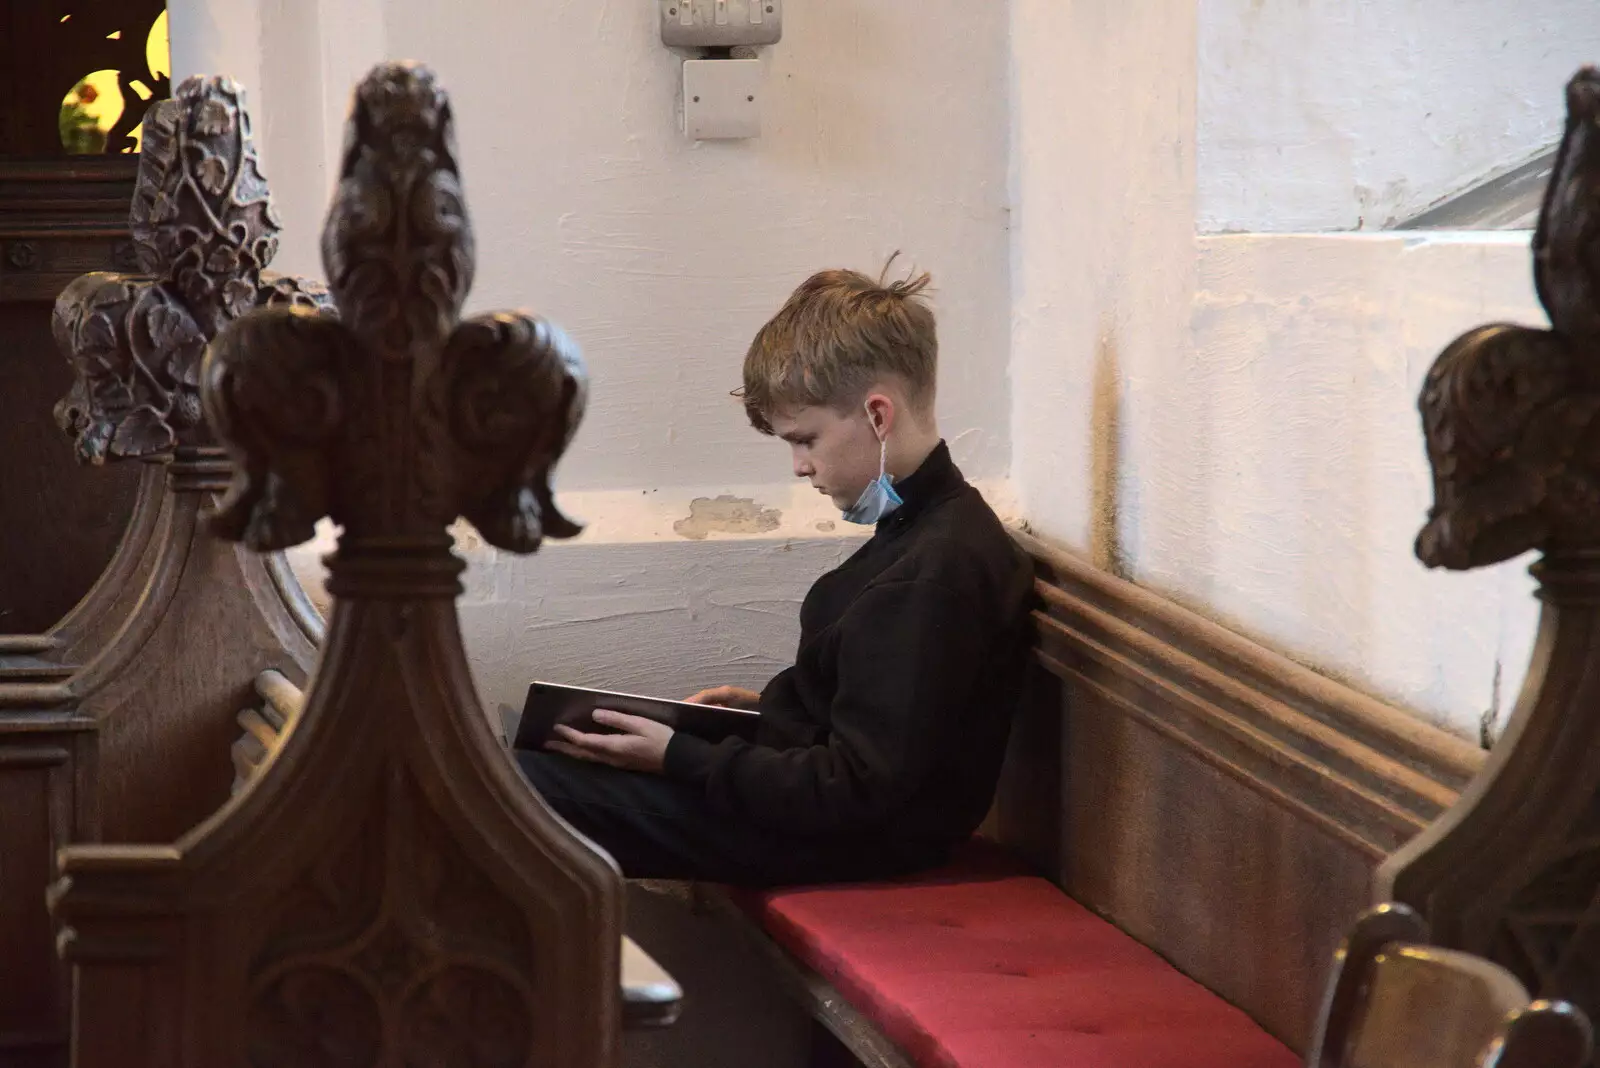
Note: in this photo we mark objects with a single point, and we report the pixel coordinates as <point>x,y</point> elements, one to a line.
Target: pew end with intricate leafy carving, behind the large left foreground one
<point>174,637</point>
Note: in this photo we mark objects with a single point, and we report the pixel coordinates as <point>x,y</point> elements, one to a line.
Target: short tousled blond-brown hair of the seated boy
<point>838,335</point>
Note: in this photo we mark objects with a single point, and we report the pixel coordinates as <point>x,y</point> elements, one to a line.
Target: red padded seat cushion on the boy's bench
<point>985,966</point>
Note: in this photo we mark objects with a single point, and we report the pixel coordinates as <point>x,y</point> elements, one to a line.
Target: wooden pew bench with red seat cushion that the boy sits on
<point>1185,829</point>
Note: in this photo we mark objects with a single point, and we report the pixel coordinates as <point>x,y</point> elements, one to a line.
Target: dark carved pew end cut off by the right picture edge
<point>1513,426</point>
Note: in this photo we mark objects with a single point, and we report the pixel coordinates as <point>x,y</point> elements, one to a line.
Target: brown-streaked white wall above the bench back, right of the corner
<point>1231,420</point>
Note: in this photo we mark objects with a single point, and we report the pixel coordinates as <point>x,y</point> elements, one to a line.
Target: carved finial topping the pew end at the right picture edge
<point>1513,415</point>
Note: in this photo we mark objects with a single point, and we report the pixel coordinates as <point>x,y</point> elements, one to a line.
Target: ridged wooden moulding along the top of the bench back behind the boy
<point>1370,775</point>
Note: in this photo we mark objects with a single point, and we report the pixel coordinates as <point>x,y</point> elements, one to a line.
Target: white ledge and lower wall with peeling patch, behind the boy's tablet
<point>642,600</point>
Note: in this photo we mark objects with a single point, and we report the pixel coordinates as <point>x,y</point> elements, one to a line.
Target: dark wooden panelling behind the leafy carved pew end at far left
<point>60,217</point>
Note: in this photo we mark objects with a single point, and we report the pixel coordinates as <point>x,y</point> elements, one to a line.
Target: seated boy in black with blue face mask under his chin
<point>882,746</point>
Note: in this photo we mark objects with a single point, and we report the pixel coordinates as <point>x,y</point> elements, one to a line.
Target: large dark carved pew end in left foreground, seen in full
<point>386,890</point>
